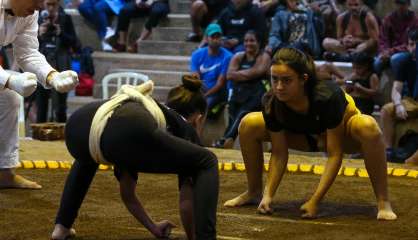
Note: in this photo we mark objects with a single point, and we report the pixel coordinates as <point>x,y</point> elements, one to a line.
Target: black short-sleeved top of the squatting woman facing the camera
<point>326,111</point>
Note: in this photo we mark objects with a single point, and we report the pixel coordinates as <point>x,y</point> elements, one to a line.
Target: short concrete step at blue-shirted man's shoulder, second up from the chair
<point>180,48</point>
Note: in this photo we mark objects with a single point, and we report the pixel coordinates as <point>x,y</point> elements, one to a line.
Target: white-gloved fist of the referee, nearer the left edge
<point>23,83</point>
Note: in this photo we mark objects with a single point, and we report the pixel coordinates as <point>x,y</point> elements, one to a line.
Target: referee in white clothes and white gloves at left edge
<point>19,27</point>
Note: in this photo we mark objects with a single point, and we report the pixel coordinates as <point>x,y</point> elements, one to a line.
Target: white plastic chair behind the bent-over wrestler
<point>121,78</point>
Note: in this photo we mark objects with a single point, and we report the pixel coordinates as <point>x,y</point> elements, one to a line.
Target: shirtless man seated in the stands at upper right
<point>357,31</point>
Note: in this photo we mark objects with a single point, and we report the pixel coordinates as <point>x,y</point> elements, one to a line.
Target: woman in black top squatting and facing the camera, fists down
<point>304,114</point>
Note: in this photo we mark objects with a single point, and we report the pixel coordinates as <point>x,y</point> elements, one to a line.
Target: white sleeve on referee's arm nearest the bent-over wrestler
<point>26,53</point>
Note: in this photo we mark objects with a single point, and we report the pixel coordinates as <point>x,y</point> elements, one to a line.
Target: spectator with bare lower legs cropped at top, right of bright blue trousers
<point>154,9</point>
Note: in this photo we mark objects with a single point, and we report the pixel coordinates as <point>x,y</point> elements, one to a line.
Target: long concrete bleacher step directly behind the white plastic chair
<point>105,62</point>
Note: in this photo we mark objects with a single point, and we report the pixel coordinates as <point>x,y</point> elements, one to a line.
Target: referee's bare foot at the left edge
<point>8,179</point>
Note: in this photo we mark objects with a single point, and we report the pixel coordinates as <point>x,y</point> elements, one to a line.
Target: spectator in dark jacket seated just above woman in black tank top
<point>236,19</point>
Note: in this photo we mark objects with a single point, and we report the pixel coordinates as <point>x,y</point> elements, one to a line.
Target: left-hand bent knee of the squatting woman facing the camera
<point>252,124</point>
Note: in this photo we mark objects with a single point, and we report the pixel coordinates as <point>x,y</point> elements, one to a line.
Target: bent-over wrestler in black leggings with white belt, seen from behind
<point>137,134</point>
